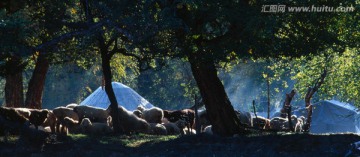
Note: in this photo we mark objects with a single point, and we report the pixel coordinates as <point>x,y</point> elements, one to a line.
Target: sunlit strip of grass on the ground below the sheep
<point>128,141</point>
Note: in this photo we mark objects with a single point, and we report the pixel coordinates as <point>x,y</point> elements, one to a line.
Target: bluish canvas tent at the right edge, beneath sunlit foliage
<point>332,116</point>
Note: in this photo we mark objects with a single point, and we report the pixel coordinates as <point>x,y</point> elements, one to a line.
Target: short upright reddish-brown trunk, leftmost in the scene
<point>14,90</point>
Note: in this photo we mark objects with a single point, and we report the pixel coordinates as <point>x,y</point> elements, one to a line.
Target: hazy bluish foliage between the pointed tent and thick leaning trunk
<point>170,87</point>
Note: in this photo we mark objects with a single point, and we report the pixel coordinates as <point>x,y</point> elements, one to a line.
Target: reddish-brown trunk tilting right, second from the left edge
<point>36,84</point>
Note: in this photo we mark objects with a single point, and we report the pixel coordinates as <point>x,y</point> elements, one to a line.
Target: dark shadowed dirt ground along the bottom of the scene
<point>195,145</point>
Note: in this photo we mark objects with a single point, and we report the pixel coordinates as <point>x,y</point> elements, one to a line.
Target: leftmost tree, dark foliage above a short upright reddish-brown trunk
<point>14,47</point>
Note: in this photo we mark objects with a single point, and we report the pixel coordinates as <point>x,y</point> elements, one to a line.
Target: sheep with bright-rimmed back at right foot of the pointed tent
<point>152,115</point>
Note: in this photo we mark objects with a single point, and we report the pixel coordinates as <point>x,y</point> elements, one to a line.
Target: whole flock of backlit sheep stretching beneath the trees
<point>75,119</point>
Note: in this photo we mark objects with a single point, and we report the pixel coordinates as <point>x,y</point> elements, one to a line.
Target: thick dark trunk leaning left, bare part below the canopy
<point>221,113</point>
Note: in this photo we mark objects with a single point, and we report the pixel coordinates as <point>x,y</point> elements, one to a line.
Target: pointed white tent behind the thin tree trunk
<point>125,97</point>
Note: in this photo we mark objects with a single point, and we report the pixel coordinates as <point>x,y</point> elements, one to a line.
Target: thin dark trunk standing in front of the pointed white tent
<point>114,112</point>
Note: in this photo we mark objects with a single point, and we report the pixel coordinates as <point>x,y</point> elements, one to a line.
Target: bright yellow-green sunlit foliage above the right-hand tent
<point>340,83</point>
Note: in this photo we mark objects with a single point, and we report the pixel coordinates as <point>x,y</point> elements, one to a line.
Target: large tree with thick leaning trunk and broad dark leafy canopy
<point>210,32</point>
